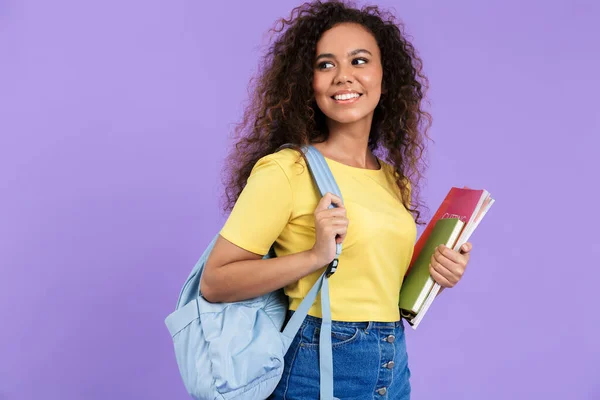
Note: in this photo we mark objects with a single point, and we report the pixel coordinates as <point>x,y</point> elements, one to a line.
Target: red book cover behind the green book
<point>459,203</point>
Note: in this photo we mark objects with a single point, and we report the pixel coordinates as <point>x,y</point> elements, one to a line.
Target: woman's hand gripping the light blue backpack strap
<point>331,225</point>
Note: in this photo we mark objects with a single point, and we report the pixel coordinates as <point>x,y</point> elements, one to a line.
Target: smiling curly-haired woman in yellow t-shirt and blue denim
<point>348,82</point>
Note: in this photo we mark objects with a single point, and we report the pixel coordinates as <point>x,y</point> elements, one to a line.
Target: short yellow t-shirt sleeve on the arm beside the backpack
<point>262,210</point>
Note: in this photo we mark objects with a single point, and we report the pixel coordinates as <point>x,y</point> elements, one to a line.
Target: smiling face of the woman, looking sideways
<point>348,74</point>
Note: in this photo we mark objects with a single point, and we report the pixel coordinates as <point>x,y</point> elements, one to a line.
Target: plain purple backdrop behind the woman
<point>114,119</point>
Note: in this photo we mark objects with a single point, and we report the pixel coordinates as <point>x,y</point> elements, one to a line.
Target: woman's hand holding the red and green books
<point>447,266</point>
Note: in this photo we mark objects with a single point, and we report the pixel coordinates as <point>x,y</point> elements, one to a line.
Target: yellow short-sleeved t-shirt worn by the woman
<point>277,208</point>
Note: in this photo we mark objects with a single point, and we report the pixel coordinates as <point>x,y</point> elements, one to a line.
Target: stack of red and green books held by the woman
<point>452,225</point>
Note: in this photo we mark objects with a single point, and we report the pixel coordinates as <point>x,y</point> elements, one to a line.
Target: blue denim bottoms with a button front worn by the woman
<point>369,362</point>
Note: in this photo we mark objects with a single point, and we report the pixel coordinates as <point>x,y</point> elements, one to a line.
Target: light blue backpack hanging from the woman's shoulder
<point>236,350</point>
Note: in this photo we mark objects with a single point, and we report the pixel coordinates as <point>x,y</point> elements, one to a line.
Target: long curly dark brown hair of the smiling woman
<point>283,110</point>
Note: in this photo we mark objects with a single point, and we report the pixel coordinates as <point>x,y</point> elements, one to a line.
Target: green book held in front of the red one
<point>418,283</point>
